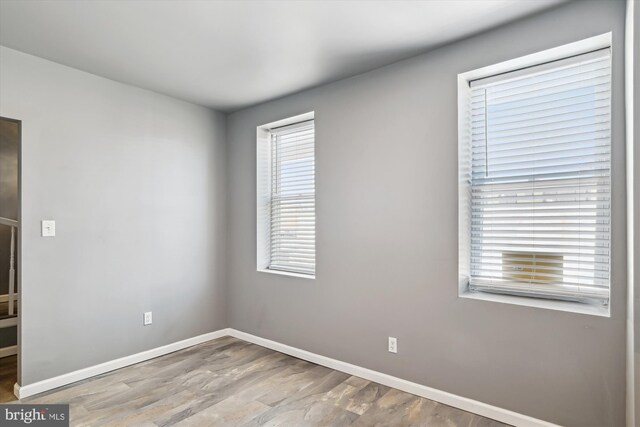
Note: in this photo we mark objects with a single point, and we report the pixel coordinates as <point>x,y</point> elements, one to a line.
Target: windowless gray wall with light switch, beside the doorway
<point>136,182</point>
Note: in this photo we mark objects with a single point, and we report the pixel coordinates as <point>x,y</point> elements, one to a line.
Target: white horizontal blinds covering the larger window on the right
<point>540,178</point>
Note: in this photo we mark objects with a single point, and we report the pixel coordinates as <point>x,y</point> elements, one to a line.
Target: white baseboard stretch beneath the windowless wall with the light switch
<point>49,384</point>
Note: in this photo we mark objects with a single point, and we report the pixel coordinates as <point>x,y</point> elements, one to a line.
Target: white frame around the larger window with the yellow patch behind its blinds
<point>464,188</point>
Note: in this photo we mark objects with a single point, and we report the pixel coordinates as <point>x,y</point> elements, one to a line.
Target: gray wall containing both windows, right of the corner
<point>386,153</point>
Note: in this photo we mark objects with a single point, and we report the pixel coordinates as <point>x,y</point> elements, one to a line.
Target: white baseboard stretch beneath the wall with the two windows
<point>450,399</point>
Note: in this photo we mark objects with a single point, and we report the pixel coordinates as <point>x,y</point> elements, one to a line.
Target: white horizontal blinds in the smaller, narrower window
<point>292,201</point>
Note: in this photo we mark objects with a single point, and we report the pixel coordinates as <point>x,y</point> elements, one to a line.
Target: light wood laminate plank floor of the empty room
<point>229,382</point>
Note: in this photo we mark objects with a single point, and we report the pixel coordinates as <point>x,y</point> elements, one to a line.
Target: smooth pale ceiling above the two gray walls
<point>232,54</point>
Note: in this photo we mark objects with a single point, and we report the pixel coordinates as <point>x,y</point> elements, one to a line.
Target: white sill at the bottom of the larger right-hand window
<point>572,307</point>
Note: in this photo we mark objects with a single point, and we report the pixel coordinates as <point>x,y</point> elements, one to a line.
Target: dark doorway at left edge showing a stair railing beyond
<point>10,140</point>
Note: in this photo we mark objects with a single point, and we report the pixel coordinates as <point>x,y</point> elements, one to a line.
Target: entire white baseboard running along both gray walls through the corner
<point>450,399</point>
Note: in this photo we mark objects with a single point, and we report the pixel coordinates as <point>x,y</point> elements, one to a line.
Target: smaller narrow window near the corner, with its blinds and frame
<point>286,197</point>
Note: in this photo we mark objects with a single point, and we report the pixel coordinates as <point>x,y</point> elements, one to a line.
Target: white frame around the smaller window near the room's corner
<point>263,195</point>
